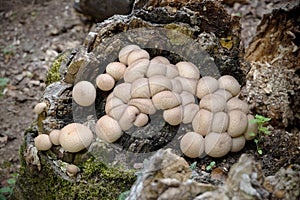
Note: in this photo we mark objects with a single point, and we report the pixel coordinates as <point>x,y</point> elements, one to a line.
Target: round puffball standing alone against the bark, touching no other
<point>84,93</point>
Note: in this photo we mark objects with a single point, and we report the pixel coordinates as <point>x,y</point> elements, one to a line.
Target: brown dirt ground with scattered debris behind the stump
<point>33,33</point>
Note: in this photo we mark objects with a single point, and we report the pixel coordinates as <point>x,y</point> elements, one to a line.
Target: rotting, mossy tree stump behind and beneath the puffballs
<point>198,31</point>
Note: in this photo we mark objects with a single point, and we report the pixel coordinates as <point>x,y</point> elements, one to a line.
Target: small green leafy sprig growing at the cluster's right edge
<point>262,130</point>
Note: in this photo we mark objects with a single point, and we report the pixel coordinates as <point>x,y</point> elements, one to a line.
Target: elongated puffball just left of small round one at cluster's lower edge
<point>128,117</point>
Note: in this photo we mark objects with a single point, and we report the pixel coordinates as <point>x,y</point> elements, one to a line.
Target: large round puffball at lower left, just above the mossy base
<point>75,137</point>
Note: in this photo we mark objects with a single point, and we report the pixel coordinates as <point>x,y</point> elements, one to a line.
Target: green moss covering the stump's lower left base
<point>97,180</point>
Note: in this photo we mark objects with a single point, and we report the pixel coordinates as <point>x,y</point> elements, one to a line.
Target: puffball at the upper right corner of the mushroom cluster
<point>230,84</point>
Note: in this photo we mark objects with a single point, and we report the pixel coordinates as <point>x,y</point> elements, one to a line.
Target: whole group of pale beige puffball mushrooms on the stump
<point>220,121</point>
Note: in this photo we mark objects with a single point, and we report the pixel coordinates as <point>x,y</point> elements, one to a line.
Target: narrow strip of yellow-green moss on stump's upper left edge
<point>53,74</point>
